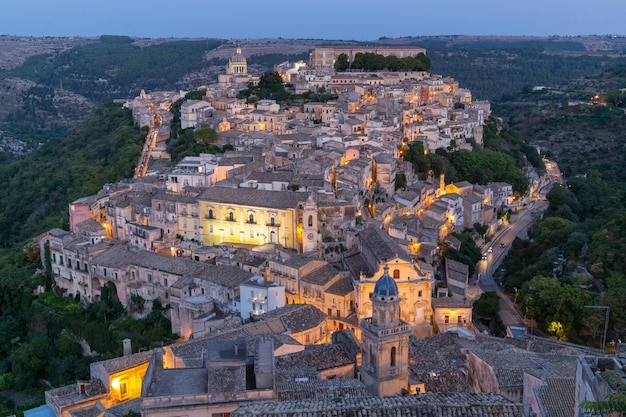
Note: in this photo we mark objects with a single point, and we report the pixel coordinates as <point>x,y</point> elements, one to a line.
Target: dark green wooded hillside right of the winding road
<point>575,257</point>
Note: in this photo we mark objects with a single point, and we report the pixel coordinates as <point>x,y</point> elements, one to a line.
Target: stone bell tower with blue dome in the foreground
<point>385,341</point>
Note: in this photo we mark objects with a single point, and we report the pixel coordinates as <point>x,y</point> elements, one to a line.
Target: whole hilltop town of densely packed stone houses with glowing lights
<point>303,269</point>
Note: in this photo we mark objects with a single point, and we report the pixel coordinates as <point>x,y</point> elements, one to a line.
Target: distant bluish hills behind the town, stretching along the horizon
<point>49,84</point>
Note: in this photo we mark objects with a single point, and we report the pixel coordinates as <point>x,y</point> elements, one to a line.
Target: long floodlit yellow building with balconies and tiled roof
<point>250,216</point>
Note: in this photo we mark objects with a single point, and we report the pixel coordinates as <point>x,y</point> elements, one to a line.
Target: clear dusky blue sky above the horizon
<point>318,19</point>
